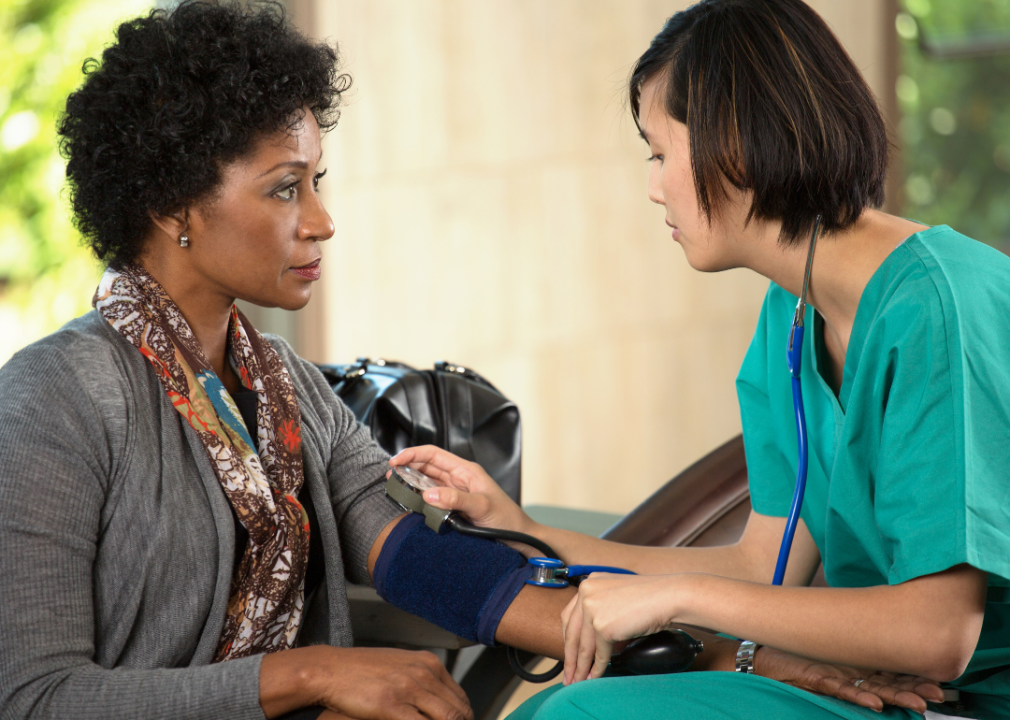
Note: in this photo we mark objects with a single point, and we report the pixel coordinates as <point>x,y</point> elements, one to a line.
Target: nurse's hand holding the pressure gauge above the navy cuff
<point>467,489</point>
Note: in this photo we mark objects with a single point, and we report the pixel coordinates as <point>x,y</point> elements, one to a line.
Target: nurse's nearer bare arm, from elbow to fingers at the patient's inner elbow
<point>928,627</point>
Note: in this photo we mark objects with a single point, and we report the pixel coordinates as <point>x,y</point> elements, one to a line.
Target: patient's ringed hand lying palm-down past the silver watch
<point>876,690</point>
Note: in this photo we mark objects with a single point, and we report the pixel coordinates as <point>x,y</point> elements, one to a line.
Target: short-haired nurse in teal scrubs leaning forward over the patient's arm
<point>758,122</point>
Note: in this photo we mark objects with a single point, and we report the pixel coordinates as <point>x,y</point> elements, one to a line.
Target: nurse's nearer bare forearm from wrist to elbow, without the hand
<point>929,627</point>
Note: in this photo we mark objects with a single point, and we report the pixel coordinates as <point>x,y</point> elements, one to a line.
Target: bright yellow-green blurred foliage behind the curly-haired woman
<point>47,276</point>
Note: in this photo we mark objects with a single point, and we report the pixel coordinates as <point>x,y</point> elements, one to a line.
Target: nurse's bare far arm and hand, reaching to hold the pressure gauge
<point>469,490</point>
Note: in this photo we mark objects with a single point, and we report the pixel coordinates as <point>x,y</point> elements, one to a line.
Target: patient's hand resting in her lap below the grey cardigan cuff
<point>365,683</point>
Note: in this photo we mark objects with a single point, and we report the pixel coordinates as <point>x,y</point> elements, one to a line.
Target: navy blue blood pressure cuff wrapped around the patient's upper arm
<point>460,583</point>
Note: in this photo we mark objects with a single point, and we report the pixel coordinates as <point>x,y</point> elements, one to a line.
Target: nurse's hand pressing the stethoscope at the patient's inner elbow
<point>609,609</point>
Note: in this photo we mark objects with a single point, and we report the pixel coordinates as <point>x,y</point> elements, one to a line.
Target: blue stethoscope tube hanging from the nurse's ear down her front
<point>795,358</point>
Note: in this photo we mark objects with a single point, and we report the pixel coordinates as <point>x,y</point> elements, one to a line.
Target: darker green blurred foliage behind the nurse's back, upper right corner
<point>956,127</point>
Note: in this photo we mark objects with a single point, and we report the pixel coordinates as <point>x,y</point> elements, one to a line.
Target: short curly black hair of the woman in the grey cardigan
<point>176,97</point>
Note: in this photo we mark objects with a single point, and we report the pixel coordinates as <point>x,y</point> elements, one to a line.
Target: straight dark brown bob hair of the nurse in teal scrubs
<point>773,105</point>
